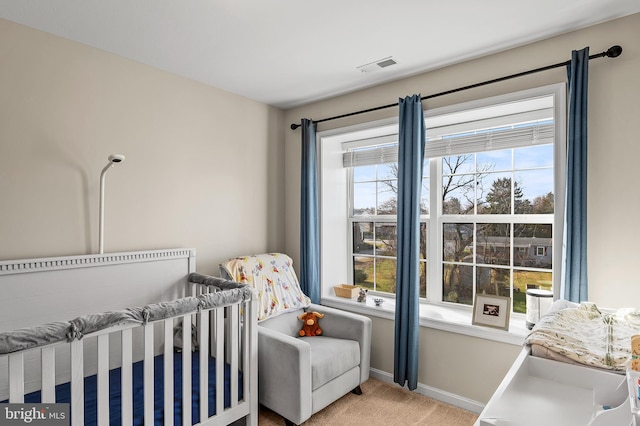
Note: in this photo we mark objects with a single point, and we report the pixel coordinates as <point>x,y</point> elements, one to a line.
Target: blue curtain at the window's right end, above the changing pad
<point>575,232</point>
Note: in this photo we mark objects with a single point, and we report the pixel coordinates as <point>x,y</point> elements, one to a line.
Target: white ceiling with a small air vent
<point>288,53</point>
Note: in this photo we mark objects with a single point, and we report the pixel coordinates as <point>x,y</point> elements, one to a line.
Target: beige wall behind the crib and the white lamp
<point>199,166</point>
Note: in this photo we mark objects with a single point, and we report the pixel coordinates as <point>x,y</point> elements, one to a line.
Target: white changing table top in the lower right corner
<point>537,391</point>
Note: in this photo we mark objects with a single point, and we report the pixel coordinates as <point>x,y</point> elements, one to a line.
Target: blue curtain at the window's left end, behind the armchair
<point>309,221</point>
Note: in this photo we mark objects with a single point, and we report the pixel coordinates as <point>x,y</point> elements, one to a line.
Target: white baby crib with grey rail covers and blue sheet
<point>150,341</point>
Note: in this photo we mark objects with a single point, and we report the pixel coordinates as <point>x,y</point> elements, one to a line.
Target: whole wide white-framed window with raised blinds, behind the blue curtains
<point>491,200</point>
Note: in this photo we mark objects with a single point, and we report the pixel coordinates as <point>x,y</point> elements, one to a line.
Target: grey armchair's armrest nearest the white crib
<point>284,374</point>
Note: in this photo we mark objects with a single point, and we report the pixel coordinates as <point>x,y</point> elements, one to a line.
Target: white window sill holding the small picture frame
<point>437,317</point>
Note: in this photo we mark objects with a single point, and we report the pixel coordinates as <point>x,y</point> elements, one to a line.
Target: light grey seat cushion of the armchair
<point>330,358</point>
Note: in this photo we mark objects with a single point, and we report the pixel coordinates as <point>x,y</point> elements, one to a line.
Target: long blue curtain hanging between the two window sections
<point>410,164</point>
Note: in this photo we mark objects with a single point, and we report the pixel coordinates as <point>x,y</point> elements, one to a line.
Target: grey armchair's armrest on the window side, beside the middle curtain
<point>347,325</point>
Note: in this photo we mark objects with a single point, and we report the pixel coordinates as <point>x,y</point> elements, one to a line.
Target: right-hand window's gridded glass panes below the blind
<point>491,202</point>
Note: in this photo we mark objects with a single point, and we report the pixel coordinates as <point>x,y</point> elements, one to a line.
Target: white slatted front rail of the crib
<point>226,333</point>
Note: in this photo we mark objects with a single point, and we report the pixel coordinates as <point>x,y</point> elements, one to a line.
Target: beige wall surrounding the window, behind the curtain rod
<point>472,367</point>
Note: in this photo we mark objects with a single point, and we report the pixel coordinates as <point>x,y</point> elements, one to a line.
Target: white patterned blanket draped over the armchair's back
<point>273,276</point>
